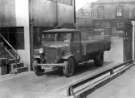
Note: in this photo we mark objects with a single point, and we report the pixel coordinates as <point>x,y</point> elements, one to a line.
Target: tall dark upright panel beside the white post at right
<point>128,42</point>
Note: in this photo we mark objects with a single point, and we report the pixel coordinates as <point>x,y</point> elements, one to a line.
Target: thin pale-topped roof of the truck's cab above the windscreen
<point>61,30</point>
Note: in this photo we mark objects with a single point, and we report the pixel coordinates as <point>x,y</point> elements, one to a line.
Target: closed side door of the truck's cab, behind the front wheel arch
<point>76,45</point>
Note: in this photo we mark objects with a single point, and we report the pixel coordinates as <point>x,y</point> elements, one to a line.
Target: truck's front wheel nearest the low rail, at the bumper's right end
<point>69,67</point>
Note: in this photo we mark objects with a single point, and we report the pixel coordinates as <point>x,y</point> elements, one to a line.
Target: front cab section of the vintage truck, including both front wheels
<point>59,47</point>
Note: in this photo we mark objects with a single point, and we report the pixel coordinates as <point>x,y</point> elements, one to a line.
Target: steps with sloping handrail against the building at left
<point>9,56</point>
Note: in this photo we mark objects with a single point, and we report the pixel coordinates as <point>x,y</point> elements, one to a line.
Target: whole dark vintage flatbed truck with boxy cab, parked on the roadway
<point>64,49</point>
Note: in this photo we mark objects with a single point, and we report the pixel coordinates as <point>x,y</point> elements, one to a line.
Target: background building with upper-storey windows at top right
<point>112,13</point>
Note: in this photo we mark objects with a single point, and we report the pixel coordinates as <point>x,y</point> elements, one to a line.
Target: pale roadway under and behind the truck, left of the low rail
<point>52,84</point>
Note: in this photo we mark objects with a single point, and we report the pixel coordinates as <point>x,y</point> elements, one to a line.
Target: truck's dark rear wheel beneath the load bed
<point>99,59</point>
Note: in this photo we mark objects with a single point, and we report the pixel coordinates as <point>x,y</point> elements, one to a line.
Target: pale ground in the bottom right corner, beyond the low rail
<point>121,87</point>
